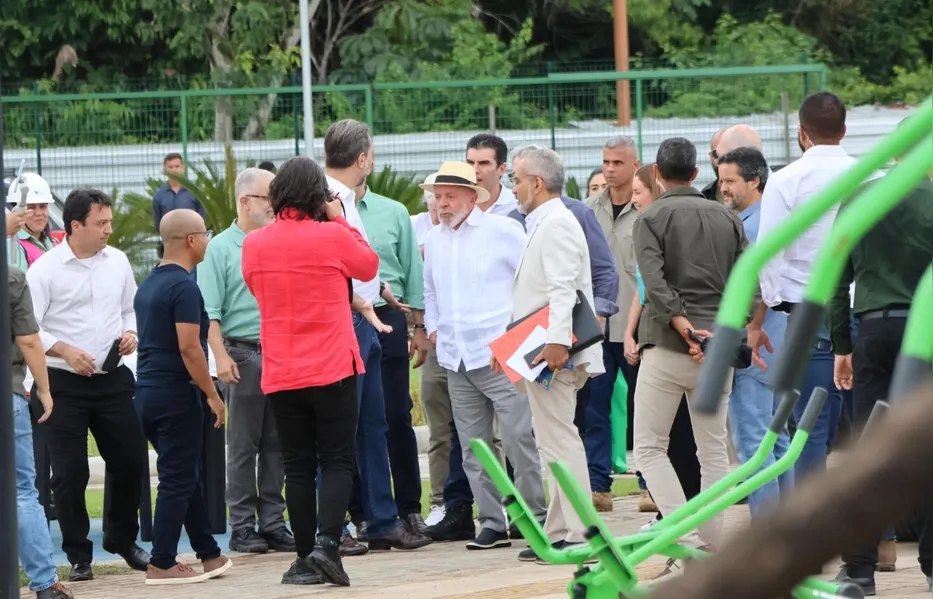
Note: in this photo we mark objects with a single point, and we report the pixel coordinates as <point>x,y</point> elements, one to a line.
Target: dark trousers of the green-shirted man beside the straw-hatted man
<point>403,446</point>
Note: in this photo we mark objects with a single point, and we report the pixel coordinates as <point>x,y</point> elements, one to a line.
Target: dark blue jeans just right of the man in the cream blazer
<point>597,409</point>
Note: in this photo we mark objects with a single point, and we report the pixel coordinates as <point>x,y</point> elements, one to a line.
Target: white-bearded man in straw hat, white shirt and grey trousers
<point>471,262</point>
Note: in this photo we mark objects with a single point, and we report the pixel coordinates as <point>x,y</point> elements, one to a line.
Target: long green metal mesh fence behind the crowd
<point>112,140</point>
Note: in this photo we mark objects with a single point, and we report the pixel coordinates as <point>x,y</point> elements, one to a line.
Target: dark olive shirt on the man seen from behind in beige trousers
<point>686,247</point>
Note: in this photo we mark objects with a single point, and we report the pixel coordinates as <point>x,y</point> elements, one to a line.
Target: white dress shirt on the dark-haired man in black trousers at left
<point>86,303</point>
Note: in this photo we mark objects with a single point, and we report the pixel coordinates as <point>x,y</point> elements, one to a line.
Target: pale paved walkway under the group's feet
<point>444,571</point>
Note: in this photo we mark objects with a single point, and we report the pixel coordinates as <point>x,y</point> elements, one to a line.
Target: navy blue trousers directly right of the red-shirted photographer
<point>374,485</point>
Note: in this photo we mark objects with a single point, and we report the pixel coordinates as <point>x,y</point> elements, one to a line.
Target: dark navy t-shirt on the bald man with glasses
<point>167,296</point>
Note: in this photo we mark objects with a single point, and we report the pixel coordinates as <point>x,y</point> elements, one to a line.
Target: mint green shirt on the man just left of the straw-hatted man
<point>388,226</point>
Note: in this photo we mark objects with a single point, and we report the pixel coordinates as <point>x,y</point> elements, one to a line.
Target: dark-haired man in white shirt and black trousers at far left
<point>82,293</point>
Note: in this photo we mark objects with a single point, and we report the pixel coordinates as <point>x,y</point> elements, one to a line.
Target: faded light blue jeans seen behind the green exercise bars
<point>751,408</point>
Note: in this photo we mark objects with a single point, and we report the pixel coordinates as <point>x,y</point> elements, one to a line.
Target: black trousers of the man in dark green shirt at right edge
<point>874,355</point>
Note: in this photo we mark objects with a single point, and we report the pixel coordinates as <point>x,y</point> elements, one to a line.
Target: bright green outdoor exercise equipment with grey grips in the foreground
<point>613,574</point>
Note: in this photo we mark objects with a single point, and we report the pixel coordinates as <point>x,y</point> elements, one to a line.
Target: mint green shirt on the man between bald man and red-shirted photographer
<point>226,297</point>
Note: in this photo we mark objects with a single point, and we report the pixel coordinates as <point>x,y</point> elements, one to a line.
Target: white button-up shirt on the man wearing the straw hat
<point>468,276</point>
